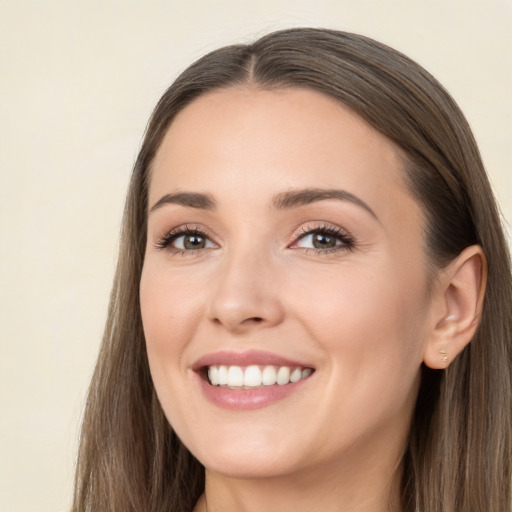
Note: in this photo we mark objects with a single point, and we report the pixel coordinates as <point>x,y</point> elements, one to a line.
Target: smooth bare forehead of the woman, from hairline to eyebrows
<point>249,139</point>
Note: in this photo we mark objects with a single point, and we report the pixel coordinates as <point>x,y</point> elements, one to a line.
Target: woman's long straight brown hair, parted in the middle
<point>458,457</point>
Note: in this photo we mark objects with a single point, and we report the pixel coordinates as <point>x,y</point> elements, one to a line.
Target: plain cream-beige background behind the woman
<point>77,83</point>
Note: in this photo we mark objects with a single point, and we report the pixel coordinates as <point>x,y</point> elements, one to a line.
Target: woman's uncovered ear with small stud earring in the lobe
<point>458,304</point>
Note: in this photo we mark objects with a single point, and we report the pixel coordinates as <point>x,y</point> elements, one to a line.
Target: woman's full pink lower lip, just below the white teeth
<point>247,399</point>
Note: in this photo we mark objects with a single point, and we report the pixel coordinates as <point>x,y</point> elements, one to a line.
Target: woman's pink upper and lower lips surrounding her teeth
<point>246,399</point>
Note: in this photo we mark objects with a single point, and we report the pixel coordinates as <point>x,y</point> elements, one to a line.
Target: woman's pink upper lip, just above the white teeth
<point>250,357</point>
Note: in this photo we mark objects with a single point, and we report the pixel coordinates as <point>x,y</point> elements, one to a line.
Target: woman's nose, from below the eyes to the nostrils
<point>246,294</point>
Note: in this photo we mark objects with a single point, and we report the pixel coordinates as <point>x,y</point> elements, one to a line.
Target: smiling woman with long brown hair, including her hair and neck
<point>311,309</point>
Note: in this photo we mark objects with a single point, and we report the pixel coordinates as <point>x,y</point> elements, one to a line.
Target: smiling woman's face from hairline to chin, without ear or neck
<point>281,235</point>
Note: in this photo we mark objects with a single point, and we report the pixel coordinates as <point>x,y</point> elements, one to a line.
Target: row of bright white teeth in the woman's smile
<point>255,376</point>
